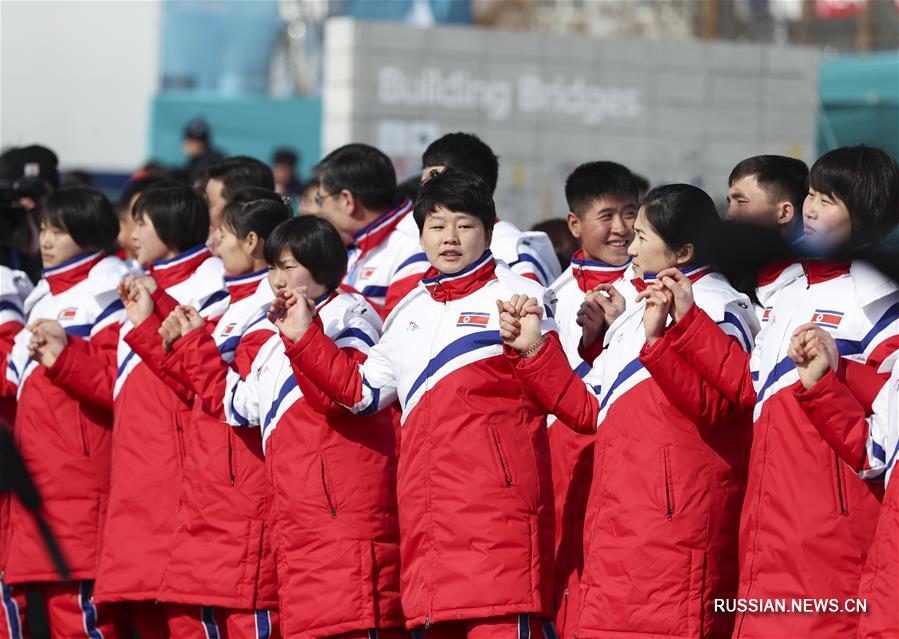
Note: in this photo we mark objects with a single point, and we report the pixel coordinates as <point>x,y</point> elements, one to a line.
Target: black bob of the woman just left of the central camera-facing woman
<point>314,243</point>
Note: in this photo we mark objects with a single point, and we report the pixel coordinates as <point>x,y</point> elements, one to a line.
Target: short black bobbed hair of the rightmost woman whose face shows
<point>866,180</point>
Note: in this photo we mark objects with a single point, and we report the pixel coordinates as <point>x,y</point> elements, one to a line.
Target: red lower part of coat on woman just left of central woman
<point>334,513</point>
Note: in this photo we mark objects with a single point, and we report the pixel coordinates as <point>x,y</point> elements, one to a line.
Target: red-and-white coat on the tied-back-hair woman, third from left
<point>219,553</point>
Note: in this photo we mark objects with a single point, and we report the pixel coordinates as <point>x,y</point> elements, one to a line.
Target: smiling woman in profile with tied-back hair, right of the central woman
<point>670,452</point>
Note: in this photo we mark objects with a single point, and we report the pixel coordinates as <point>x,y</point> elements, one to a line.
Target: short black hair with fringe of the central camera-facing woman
<point>457,191</point>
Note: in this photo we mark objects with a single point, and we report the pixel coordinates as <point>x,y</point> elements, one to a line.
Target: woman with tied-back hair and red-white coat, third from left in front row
<point>220,568</point>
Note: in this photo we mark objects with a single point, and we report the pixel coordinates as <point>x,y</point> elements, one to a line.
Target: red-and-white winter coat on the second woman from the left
<point>148,433</point>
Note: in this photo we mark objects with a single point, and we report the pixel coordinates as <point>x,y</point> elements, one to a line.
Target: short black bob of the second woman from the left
<point>179,214</point>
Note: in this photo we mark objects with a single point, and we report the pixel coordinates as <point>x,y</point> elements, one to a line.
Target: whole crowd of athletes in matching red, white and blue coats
<point>392,415</point>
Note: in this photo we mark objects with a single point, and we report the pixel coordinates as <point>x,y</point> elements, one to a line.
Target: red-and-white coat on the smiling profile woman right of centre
<point>668,480</point>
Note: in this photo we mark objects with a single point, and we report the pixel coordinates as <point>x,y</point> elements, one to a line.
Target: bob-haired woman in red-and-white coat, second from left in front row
<point>172,224</point>
